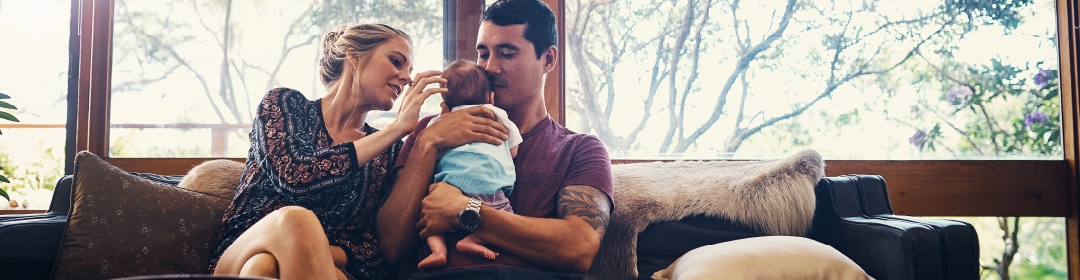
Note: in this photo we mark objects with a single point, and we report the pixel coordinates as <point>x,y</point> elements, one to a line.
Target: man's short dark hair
<point>538,19</point>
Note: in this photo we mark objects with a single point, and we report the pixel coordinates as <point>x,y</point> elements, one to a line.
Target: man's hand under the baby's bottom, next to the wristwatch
<point>439,212</point>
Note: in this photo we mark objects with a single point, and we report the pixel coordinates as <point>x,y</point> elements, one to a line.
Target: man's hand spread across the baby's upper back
<point>464,127</point>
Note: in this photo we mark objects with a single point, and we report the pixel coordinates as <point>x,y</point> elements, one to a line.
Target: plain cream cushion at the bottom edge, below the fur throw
<point>764,258</point>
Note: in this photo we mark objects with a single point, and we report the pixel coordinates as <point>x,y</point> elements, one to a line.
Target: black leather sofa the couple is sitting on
<point>854,216</point>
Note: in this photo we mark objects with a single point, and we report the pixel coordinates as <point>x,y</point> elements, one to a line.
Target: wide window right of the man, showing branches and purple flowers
<point>854,81</point>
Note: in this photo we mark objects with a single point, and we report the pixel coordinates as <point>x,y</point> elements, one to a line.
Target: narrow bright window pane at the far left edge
<point>35,74</point>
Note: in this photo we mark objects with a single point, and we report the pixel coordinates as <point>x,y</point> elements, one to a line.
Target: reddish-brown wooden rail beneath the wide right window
<point>965,189</point>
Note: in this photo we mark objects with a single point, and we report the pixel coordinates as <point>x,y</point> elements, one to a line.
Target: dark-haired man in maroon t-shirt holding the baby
<point>562,198</point>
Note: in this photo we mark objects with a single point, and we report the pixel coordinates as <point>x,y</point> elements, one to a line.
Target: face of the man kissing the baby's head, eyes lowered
<point>517,74</point>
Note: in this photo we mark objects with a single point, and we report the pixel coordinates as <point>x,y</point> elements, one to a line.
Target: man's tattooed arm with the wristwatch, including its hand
<point>570,243</point>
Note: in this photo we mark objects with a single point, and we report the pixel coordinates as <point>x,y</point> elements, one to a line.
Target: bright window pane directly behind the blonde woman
<point>187,75</point>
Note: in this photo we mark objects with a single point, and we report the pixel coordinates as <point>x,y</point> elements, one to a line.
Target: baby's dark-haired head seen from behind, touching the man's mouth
<point>467,84</point>
